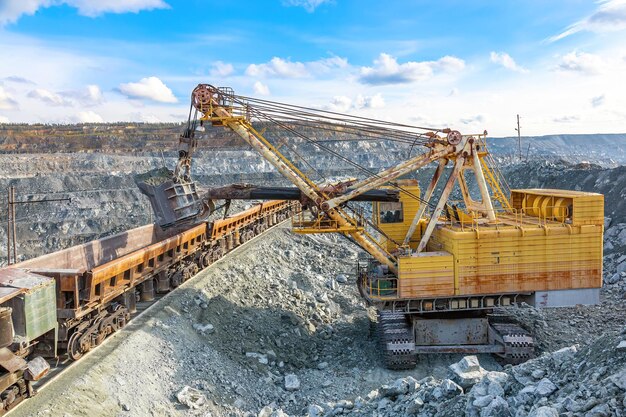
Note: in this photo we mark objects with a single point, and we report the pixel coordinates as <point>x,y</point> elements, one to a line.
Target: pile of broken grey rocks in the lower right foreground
<point>573,381</point>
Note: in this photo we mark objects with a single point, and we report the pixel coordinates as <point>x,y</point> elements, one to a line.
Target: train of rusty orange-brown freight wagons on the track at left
<point>71,300</point>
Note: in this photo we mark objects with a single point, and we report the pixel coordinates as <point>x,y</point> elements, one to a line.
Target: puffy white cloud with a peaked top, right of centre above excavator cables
<point>387,70</point>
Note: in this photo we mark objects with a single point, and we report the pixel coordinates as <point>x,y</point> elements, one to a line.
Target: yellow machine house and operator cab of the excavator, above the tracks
<point>551,240</point>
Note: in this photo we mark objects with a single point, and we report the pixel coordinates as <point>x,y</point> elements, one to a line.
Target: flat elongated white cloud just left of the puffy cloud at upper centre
<point>285,68</point>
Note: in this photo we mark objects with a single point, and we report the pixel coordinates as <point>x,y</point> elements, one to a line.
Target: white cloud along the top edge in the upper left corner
<point>12,10</point>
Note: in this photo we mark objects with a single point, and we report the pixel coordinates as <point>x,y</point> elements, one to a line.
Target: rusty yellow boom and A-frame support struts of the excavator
<point>217,106</point>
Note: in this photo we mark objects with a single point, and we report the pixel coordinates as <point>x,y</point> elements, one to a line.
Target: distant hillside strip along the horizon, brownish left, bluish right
<point>604,149</point>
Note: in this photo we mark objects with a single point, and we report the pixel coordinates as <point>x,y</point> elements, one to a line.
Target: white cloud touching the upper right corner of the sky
<point>608,17</point>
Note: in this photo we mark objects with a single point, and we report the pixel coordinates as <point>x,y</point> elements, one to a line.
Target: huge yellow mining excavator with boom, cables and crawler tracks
<point>438,270</point>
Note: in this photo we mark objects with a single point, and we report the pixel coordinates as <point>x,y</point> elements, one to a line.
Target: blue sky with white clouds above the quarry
<point>468,65</point>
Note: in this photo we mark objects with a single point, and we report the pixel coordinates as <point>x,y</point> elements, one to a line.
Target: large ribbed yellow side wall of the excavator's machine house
<point>552,257</point>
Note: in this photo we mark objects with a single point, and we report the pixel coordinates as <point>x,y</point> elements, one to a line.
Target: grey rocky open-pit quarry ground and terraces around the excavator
<point>278,299</point>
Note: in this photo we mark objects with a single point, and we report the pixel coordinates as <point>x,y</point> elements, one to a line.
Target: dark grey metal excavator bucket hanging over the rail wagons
<point>173,202</point>
